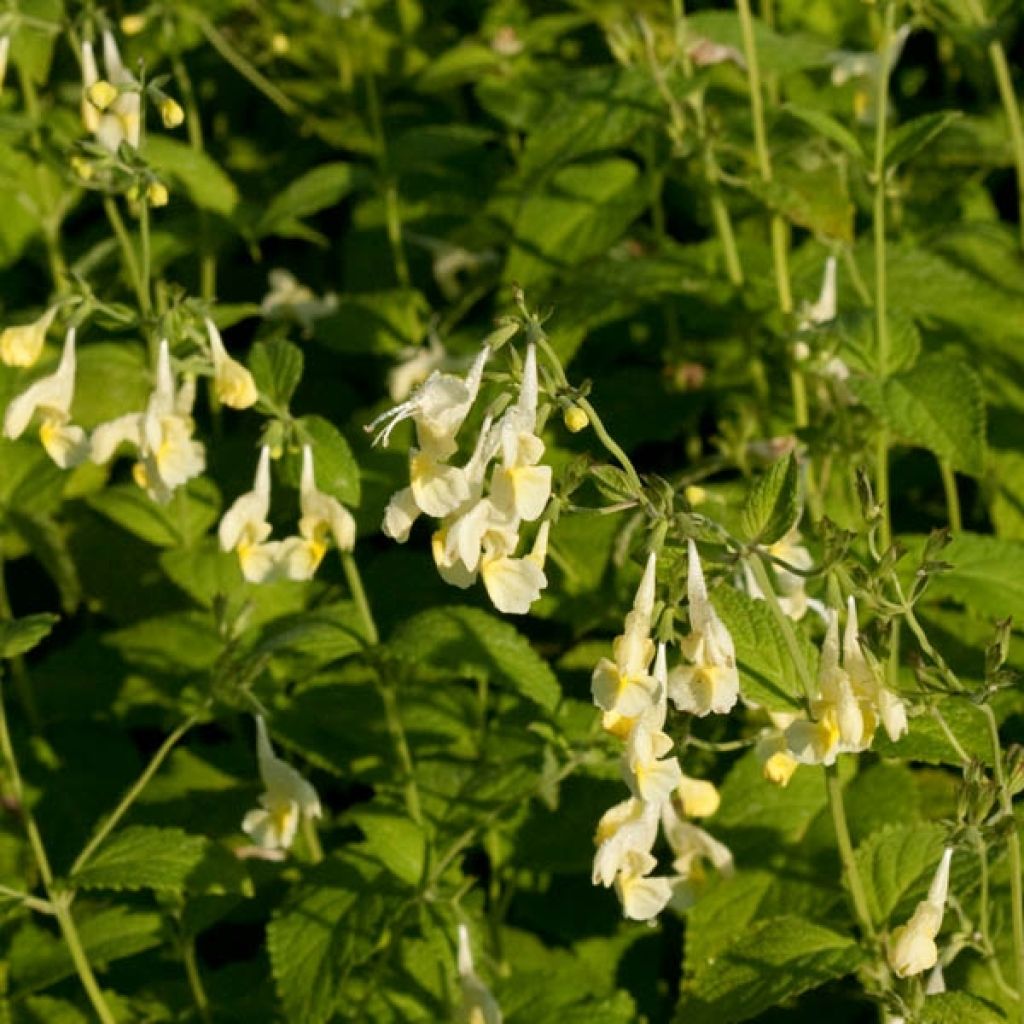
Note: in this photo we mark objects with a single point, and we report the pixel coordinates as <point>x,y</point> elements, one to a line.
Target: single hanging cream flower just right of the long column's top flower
<point>711,682</point>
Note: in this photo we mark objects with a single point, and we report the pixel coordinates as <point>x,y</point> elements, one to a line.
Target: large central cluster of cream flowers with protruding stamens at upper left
<point>481,517</point>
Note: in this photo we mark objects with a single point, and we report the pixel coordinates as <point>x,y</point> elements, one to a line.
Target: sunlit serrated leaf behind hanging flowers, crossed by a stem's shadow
<point>767,675</point>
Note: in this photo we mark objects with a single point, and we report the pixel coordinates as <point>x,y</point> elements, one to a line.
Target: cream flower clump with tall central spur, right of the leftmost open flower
<point>162,435</point>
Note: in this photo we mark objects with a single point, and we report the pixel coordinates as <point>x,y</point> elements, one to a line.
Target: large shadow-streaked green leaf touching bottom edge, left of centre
<point>329,925</point>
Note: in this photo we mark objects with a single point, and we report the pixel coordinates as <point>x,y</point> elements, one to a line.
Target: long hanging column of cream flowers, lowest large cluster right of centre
<point>632,690</point>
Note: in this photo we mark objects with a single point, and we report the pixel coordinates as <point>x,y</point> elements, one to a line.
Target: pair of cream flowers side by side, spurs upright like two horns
<point>246,531</point>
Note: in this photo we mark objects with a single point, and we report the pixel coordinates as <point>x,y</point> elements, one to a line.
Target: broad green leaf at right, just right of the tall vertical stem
<point>937,405</point>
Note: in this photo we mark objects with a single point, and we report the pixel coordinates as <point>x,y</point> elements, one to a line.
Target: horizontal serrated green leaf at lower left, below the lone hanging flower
<point>163,860</point>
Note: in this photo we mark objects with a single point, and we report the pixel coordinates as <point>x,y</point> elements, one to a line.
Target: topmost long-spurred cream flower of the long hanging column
<point>624,688</point>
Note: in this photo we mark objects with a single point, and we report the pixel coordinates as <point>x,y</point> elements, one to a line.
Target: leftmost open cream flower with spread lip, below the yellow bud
<point>52,398</point>
